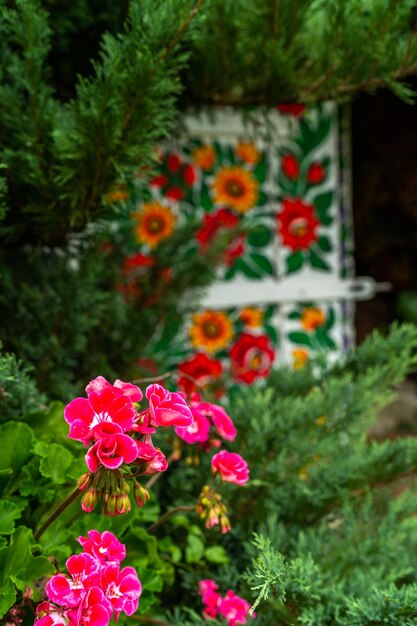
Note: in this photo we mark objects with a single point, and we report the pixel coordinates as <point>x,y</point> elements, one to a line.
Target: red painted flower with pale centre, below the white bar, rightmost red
<point>251,357</point>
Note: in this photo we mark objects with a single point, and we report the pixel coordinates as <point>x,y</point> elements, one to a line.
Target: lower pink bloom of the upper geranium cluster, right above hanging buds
<point>112,449</point>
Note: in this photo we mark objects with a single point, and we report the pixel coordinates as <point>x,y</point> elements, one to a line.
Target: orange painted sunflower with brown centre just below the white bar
<point>211,330</point>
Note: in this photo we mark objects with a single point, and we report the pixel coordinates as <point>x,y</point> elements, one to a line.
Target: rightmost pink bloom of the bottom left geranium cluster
<point>122,588</point>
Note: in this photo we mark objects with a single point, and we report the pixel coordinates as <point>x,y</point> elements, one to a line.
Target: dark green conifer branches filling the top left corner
<point>60,158</point>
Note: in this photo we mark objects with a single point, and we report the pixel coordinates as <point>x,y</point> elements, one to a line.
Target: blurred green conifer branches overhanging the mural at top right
<point>276,51</point>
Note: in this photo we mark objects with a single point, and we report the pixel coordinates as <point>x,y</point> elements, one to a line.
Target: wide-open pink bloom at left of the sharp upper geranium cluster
<point>108,405</point>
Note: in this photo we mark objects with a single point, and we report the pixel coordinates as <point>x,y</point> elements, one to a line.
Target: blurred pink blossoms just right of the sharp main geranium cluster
<point>204,416</point>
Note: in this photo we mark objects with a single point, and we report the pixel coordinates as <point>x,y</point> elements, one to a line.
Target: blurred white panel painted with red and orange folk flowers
<point>265,187</point>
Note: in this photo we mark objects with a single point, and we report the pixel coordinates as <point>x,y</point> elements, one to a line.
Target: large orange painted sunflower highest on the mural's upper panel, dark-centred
<point>235,187</point>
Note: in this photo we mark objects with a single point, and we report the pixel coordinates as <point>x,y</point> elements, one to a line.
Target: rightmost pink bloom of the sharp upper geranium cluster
<point>167,408</point>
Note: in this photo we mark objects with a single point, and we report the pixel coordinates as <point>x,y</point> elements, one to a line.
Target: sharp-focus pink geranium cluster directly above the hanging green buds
<point>108,421</point>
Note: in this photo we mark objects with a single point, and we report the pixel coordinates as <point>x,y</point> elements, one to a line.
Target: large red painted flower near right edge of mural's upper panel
<point>297,224</point>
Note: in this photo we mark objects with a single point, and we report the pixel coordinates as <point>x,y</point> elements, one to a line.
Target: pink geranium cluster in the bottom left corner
<point>95,588</point>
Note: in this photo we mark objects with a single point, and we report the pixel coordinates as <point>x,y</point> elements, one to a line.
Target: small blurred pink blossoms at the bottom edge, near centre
<point>234,608</point>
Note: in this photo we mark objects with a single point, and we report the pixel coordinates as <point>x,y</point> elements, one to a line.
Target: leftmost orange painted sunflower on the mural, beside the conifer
<point>155,222</point>
